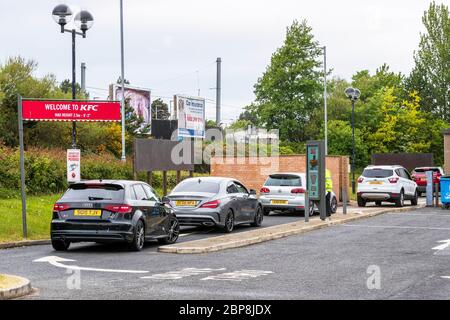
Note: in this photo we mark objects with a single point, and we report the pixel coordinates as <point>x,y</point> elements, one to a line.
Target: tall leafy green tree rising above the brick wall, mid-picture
<point>290,89</point>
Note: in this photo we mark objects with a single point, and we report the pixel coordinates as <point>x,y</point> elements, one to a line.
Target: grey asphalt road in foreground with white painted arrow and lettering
<point>332,263</point>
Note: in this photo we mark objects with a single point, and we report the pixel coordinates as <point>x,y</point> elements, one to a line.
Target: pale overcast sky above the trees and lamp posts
<point>171,45</point>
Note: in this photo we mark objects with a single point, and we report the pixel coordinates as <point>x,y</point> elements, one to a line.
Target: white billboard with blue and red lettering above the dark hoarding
<point>191,116</point>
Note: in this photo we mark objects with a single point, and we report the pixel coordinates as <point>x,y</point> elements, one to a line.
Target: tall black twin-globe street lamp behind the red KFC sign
<point>83,21</point>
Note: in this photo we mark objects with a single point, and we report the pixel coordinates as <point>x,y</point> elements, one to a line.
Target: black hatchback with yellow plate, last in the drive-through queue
<point>112,211</point>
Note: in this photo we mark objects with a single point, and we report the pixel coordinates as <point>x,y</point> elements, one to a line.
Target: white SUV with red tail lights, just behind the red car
<point>386,183</point>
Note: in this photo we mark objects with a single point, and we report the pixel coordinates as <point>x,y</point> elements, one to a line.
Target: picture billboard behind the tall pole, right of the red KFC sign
<point>139,100</point>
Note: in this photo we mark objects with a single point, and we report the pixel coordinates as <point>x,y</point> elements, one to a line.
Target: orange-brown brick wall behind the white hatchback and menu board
<point>254,171</point>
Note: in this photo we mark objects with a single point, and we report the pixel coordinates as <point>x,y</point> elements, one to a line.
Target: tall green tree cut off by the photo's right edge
<point>431,73</point>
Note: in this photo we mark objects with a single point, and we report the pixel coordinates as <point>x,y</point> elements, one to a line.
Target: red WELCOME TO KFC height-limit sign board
<point>67,110</point>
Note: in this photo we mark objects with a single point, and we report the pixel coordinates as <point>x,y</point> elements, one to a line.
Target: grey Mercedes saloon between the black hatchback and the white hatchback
<point>215,201</point>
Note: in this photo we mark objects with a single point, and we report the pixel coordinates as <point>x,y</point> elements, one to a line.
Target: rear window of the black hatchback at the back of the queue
<point>84,192</point>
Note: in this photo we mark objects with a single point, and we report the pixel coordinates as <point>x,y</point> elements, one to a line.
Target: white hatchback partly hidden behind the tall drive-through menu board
<point>286,192</point>
